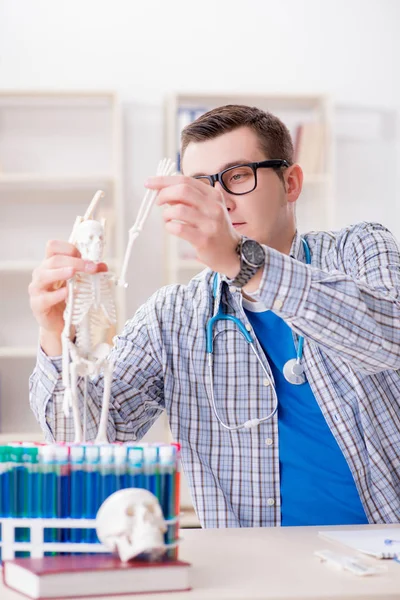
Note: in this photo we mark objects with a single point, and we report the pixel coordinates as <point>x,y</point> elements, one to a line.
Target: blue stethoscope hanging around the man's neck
<point>293,369</point>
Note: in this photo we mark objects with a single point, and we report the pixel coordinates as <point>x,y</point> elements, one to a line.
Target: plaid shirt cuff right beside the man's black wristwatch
<point>284,285</point>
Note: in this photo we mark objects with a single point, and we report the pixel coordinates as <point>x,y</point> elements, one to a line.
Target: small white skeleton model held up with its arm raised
<point>90,307</point>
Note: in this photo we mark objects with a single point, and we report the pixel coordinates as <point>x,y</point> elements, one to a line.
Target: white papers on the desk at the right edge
<point>380,543</point>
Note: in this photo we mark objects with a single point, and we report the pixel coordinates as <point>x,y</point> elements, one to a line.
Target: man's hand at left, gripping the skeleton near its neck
<point>47,300</point>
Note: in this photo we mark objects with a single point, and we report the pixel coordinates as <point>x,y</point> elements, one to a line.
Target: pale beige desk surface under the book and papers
<point>269,564</point>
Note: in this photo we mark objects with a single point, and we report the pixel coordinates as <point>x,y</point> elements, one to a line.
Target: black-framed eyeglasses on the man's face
<point>241,179</point>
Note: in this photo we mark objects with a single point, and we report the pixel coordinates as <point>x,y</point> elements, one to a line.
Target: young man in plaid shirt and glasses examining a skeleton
<point>330,453</point>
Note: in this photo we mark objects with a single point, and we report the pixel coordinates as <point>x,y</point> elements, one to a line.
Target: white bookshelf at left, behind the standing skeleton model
<point>56,150</point>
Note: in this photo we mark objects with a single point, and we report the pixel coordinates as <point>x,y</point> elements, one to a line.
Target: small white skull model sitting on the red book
<point>130,522</point>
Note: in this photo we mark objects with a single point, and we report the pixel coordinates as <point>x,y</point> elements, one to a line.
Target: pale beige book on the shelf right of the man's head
<point>309,146</point>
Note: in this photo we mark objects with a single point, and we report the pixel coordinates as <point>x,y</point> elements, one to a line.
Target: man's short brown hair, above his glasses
<point>274,136</point>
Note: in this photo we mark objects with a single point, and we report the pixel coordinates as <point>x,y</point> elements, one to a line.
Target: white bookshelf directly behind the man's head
<point>309,119</point>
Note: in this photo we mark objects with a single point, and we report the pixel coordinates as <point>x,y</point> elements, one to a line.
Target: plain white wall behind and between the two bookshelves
<point>349,49</point>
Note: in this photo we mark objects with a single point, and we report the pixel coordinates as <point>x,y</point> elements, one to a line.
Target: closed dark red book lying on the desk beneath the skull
<point>92,575</point>
